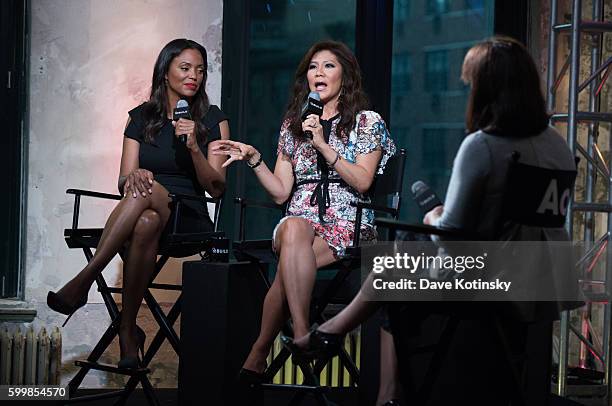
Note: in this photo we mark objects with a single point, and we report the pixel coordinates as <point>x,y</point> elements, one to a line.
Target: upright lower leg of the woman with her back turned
<point>389,375</point>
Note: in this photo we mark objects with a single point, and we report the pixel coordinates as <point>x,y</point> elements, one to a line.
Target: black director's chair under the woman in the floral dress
<point>385,195</point>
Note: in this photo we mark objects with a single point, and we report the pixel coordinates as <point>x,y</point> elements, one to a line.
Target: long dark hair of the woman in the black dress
<point>155,110</point>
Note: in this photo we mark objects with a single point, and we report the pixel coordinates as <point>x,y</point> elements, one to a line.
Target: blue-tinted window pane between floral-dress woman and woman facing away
<point>427,96</point>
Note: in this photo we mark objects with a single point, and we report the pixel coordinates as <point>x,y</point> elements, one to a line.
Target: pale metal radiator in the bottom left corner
<point>30,359</point>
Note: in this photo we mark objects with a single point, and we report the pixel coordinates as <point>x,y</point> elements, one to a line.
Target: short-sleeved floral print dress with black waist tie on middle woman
<point>335,222</point>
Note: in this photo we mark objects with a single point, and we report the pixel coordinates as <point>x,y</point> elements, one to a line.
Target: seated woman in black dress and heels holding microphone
<point>154,162</point>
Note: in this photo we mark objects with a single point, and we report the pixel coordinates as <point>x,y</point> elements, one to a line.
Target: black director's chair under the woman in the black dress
<point>175,244</point>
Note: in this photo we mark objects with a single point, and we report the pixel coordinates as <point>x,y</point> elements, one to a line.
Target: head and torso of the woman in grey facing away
<point>506,112</point>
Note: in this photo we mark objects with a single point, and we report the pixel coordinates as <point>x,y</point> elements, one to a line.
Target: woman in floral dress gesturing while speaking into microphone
<point>350,144</point>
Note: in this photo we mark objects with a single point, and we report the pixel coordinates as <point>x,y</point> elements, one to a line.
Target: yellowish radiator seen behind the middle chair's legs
<point>334,374</point>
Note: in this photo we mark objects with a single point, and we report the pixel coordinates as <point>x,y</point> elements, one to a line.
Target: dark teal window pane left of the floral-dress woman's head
<point>280,34</point>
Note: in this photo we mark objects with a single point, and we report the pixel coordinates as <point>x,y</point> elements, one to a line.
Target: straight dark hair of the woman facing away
<point>506,97</point>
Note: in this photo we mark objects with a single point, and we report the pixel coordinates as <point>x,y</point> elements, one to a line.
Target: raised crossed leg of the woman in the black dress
<point>118,229</point>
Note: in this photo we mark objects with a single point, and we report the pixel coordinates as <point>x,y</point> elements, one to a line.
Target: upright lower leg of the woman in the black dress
<point>139,267</point>
